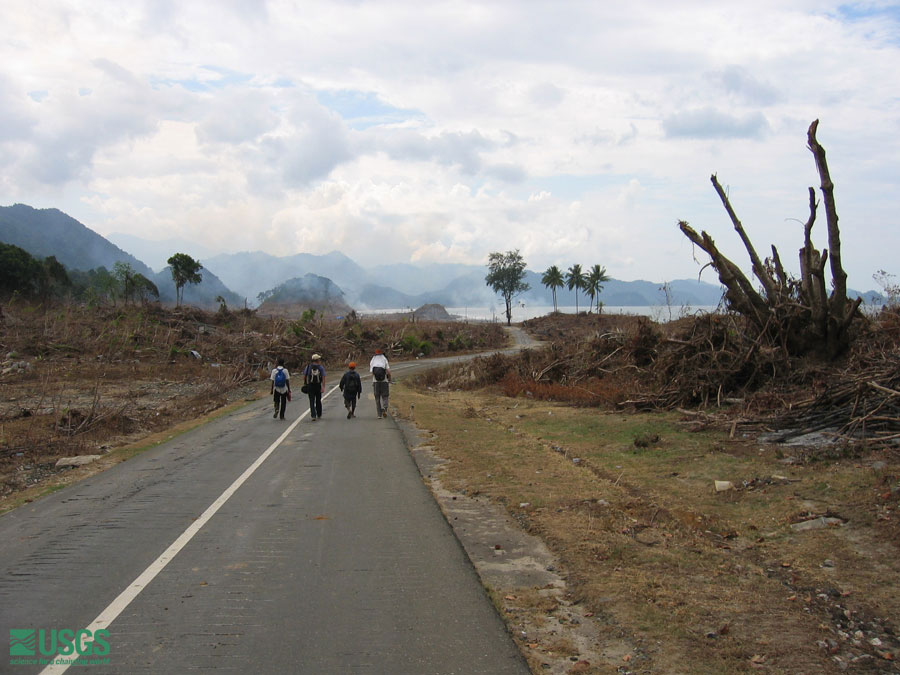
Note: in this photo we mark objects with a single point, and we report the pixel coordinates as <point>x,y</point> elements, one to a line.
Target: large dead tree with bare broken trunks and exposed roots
<point>799,314</point>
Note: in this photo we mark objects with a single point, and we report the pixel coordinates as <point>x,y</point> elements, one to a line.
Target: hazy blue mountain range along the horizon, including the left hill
<point>240,277</point>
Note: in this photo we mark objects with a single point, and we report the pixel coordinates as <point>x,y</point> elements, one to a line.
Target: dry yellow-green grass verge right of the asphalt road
<point>699,580</point>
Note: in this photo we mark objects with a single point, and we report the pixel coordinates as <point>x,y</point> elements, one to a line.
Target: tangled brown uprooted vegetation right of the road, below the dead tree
<point>713,362</point>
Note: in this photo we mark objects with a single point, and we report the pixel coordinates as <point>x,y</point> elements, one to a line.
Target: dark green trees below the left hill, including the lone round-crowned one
<point>46,278</point>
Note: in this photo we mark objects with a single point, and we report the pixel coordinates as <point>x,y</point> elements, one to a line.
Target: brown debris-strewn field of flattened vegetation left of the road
<point>80,380</point>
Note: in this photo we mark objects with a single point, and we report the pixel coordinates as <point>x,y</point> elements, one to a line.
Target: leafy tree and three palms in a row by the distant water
<point>506,274</point>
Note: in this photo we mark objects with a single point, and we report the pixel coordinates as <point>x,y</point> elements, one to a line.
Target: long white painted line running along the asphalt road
<point>117,606</point>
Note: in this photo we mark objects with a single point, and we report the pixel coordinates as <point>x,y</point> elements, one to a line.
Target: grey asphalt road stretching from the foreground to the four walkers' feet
<point>253,545</point>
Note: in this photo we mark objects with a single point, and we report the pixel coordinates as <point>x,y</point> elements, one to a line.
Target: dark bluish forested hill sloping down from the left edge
<point>46,232</point>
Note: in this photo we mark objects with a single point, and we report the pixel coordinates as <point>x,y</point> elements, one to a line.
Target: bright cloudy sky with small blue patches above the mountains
<point>400,131</point>
